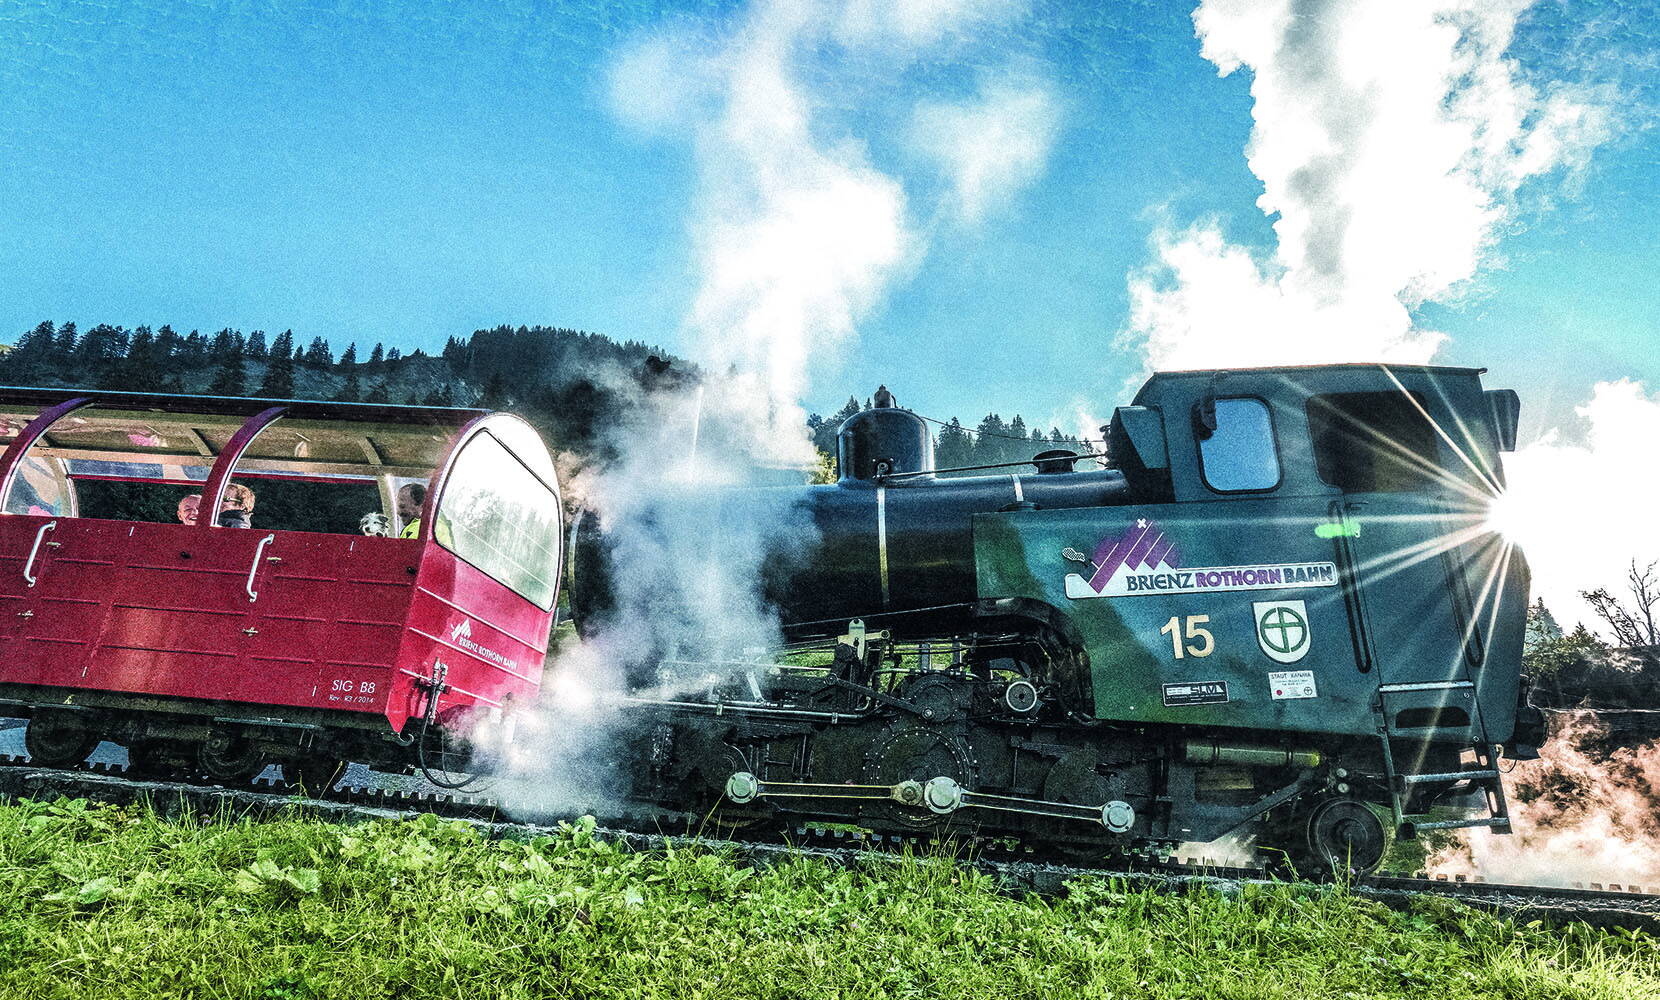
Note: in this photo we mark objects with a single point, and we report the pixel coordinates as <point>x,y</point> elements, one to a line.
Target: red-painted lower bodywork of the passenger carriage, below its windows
<point>343,622</point>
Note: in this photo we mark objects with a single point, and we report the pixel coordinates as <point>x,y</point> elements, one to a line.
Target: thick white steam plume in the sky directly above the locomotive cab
<point>1392,142</point>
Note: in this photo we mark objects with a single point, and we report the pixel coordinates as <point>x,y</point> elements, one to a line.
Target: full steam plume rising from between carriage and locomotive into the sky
<point>798,238</point>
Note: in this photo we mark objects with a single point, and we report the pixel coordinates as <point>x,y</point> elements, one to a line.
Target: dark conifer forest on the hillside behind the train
<point>572,385</point>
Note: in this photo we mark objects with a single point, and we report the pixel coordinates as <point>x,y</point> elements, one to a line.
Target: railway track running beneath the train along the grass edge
<point>1611,904</point>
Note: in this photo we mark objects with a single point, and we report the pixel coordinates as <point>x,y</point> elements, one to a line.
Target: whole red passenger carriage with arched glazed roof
<point>212,650</point>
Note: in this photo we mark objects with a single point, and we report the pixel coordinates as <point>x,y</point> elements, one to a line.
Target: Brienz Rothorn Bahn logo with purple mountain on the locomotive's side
<point>1145,561</point>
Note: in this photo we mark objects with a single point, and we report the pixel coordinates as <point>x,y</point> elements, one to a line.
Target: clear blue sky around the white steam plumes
<point>413,172</point>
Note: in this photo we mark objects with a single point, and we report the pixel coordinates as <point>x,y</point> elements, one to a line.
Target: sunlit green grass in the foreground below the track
<point>119,903</point>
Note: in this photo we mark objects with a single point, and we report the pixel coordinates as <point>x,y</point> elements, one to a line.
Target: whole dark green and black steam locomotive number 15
<point>1279,612</point>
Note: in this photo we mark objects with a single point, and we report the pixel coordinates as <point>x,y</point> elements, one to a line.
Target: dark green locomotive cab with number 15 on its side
<point>1307,554</point>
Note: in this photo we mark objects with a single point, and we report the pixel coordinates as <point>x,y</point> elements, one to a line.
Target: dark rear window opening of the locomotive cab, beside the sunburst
<point>1374,443</point>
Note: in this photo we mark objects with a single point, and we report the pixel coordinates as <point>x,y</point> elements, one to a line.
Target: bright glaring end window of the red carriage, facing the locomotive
<point>499,517</point>
